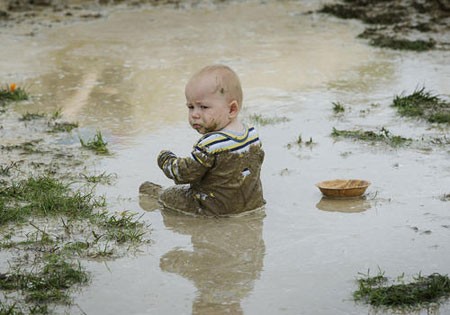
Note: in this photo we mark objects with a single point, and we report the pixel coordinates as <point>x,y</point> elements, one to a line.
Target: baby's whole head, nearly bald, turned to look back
<point>214,99</point>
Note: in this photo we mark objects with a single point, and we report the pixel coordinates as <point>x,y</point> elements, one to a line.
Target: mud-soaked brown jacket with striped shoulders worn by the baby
<point>223,172</point>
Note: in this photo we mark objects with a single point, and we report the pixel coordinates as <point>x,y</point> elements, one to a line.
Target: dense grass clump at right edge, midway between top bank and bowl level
<point>423,104</point>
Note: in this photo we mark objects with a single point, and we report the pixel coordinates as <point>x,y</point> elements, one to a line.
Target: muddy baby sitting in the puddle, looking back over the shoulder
<point>222,175</point>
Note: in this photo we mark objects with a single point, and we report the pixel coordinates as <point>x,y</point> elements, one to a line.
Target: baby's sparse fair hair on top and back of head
<point>227,82</point>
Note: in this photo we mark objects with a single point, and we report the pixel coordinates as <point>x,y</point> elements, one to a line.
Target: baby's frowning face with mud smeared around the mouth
<point>208,108</point>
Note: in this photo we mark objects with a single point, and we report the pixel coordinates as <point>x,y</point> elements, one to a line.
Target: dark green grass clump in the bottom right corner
<point>422,290</point>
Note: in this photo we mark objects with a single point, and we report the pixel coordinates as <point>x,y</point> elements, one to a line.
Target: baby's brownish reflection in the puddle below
<point>225,260</point>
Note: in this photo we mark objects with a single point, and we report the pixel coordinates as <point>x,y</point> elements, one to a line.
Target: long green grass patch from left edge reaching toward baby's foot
<point>47,196</point>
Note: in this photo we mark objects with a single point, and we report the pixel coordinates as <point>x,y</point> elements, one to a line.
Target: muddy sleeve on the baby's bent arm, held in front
<point>186,170</point>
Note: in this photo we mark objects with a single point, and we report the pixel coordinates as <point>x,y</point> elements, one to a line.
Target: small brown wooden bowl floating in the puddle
<point>343,187</point>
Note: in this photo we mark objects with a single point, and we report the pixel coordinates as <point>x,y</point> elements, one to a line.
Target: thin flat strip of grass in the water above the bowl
<point>384,136</point>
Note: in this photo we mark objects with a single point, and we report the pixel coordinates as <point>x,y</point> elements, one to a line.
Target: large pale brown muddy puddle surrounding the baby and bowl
<point>124,74</point>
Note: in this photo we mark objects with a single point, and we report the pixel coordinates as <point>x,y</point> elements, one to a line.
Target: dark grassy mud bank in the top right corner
<point>403,25</point>
